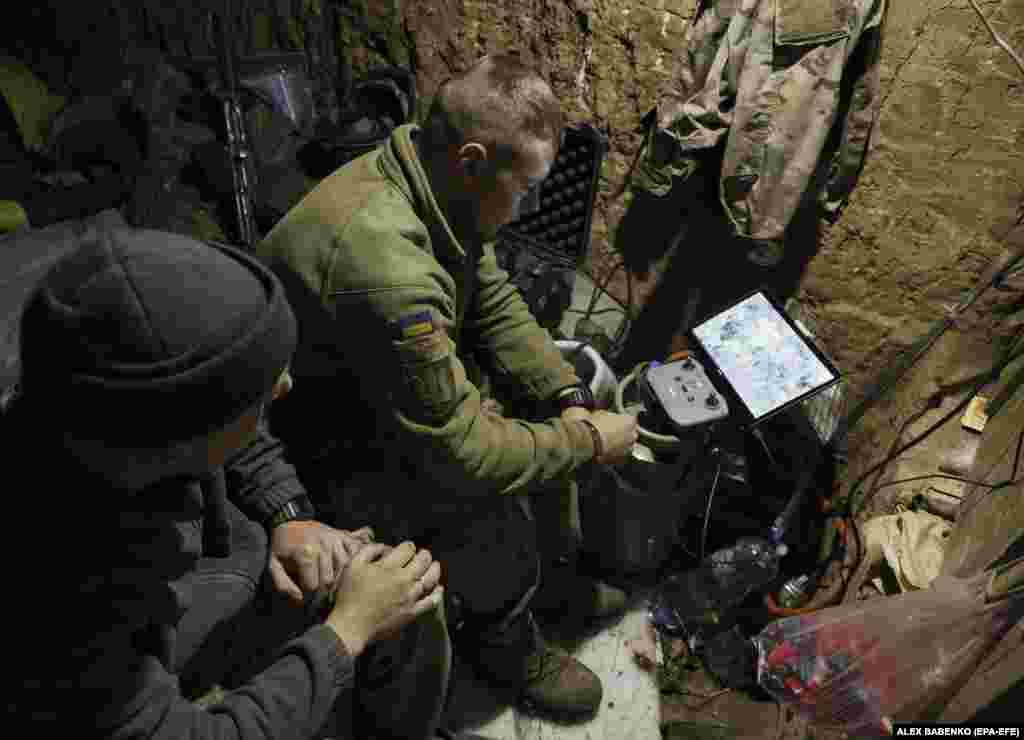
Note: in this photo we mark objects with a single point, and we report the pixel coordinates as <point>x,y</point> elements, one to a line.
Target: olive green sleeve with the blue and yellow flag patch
<point>405,298</point>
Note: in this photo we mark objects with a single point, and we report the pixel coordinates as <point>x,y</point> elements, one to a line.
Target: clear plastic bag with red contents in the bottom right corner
<point>864,666</point>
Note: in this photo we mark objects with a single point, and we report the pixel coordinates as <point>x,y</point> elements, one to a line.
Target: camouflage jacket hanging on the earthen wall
<point>793,89</point>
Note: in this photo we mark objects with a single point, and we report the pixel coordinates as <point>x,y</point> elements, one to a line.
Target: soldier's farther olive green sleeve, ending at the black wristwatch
<point>518,346</point>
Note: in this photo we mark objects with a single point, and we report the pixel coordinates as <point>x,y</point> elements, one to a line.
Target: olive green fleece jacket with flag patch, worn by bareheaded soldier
<point>393,309</point>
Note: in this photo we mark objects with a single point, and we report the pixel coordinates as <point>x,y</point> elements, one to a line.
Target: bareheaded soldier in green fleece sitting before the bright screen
<point>405,317</point>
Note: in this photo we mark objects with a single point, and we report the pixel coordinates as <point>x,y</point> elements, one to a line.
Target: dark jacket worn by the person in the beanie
<point>104,580</point>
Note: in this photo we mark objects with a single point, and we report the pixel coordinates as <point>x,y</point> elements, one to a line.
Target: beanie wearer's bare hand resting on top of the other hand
<point>382,591</point>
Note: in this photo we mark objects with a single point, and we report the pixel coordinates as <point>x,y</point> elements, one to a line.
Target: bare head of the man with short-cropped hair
<point>489,141</point>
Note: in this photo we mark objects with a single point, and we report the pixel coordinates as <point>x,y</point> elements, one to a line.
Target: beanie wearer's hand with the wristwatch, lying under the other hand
<point>307,557</point>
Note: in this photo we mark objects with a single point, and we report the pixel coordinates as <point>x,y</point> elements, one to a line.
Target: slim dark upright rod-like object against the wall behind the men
<point>238,141</point>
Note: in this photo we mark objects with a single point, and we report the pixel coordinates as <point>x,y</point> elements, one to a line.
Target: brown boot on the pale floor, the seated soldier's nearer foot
<point>548,680</point>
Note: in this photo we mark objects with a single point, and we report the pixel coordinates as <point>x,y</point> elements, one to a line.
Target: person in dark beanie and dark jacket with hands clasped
<point>166,548</point>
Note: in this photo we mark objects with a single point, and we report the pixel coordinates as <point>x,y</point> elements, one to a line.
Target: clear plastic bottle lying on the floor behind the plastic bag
<point>721,582</point>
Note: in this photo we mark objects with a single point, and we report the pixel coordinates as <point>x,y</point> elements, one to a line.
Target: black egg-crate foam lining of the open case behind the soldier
<point>542,250</point>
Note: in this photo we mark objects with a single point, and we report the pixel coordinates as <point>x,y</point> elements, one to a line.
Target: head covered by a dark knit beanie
<point>154,356</point>
